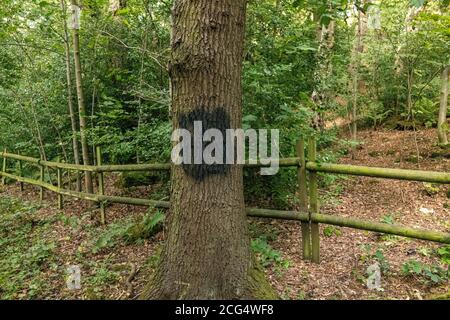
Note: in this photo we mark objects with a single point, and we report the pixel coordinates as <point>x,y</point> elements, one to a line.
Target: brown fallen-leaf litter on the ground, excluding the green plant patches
<point>345,253</point>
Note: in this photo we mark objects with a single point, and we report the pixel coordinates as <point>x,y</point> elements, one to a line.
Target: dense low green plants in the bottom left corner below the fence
<point>25,252</point>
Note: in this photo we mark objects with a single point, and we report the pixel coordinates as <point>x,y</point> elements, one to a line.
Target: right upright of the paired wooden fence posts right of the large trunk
<point>313,201</point>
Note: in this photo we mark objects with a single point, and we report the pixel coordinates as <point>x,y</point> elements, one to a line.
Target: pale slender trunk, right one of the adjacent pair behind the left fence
<point>81,105</point>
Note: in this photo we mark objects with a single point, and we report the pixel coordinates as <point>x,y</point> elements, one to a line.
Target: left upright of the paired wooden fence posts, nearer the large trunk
<point>303,197</point>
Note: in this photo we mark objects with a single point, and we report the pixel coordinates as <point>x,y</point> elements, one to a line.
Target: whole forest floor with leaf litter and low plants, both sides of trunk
<point>39,242</point>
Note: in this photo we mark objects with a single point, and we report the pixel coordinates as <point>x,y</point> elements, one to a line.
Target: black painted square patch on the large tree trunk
<point>217,119</point>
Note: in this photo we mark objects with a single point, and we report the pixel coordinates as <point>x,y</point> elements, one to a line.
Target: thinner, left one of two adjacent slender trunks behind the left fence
<point>73,121</point>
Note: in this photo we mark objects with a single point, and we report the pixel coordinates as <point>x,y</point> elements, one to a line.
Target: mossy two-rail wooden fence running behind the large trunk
<point>309,214</point>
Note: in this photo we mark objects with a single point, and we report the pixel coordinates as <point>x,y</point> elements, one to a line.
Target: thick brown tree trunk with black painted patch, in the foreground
<point>206,252</point>
